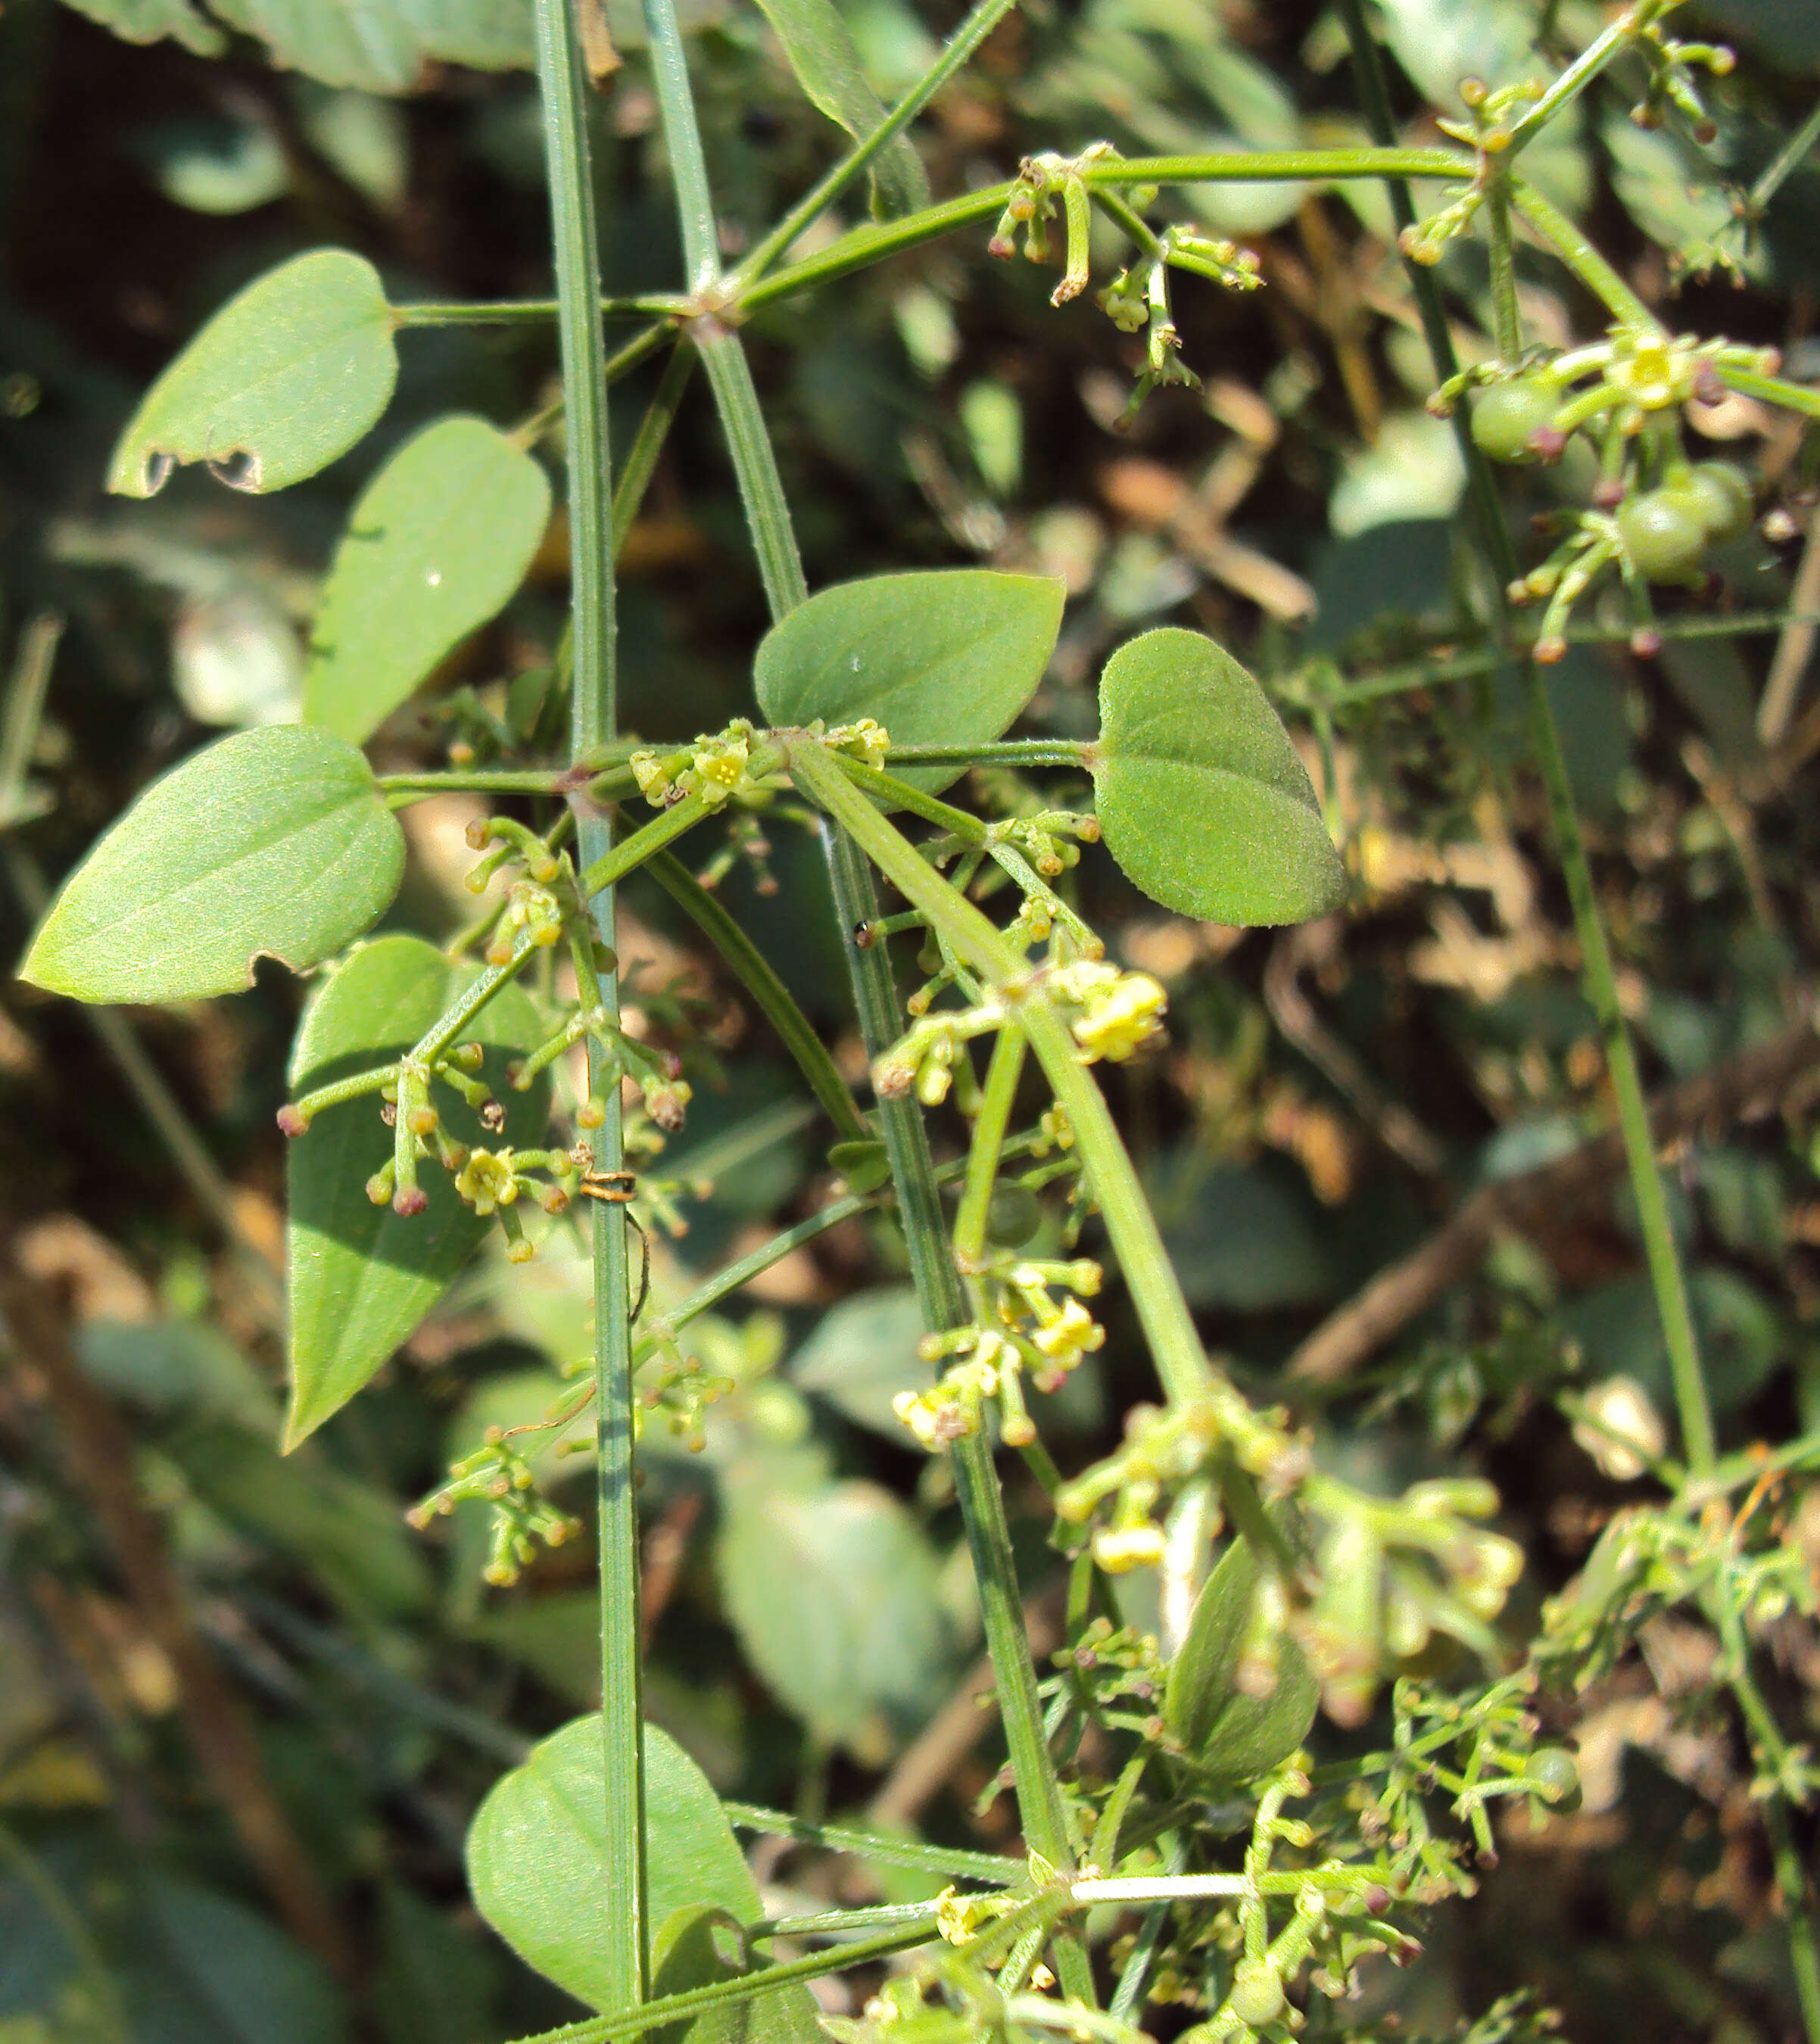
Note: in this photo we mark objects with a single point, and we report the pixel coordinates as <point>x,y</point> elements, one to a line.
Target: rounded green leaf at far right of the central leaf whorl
<point>1201,794</point>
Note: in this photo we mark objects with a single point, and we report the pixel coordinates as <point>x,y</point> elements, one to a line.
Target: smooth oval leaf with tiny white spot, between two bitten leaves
<point>437,547</point>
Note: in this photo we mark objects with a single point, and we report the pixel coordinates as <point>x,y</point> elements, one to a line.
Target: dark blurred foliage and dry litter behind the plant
<point>244,1710</point>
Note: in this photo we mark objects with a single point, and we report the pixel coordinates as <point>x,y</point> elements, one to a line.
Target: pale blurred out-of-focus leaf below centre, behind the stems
<point>835,1593</point>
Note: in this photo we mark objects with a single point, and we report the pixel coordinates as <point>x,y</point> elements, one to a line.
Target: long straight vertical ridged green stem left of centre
<point>594,723</point>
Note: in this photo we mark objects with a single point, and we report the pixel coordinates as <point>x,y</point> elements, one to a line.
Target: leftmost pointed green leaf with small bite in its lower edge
<point>271,843</point>
